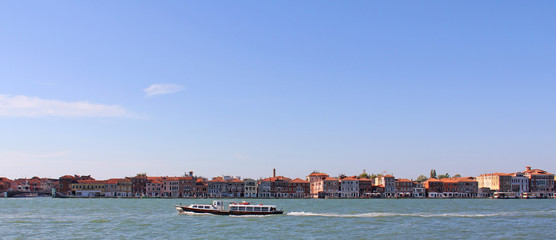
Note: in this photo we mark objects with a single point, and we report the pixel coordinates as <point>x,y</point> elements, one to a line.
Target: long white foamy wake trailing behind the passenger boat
<point>424,215</point>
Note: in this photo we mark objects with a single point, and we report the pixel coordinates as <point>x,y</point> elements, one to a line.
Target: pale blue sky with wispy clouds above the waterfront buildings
<point>240,87</point>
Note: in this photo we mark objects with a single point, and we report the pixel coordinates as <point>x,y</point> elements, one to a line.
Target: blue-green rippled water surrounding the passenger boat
<point>47,218</point>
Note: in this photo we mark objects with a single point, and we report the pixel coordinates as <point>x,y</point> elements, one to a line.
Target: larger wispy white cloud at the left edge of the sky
<point>24,106</point>
